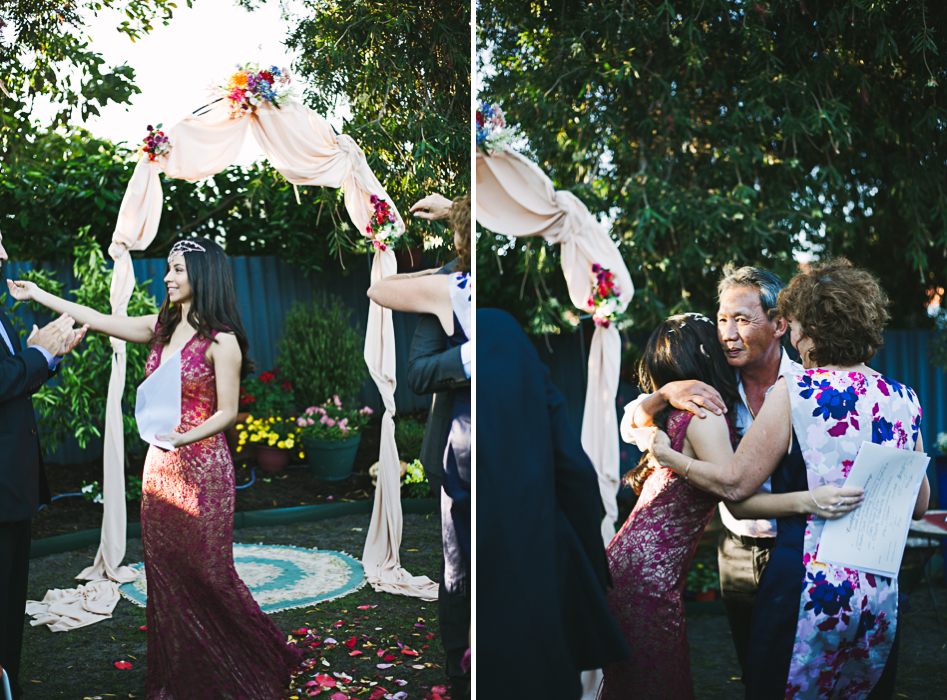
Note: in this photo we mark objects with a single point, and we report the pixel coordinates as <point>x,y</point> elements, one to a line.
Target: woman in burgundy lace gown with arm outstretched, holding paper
<point>207,637</point>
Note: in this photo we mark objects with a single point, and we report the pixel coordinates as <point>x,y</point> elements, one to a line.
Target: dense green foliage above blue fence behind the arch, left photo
<point>76,180</point>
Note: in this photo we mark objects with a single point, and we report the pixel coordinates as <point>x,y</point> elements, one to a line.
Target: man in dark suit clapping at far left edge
<point>23,485</point>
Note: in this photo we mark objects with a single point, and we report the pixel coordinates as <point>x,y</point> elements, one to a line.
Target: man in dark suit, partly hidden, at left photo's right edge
<point>432,369</point>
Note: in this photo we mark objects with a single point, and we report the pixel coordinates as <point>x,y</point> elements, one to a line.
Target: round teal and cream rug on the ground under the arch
<point>279,577</point>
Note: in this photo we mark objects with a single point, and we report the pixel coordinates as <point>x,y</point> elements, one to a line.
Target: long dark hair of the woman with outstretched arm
<point>213,301</point>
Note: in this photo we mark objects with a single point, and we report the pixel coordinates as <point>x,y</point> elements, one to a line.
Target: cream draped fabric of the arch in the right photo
<point>516,198</point>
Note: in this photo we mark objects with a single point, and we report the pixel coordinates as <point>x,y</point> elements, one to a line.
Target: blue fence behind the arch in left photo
<point>266,289</point>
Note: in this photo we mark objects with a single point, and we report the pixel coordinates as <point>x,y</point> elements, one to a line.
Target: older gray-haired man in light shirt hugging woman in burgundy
<point>751,335</point>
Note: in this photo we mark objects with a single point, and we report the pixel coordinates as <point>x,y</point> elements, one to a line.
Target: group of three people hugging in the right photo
<point>772,444</point>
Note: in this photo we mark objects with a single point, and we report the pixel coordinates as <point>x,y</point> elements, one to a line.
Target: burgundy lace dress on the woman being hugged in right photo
<point>648,560</point>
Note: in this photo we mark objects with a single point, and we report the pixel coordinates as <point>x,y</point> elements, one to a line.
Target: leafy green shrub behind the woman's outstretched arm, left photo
<point>74,403</point>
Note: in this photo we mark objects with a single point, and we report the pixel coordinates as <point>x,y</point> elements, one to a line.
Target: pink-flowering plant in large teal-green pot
<point>330,436</point>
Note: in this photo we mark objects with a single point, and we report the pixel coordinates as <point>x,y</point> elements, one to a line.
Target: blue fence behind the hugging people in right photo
<point>903,358</point>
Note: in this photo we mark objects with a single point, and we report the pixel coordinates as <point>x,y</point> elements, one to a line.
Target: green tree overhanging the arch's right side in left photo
<point>403,68</point>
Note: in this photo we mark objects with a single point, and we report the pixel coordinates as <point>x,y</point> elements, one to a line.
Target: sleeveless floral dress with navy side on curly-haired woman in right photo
<point>820,630</point>
